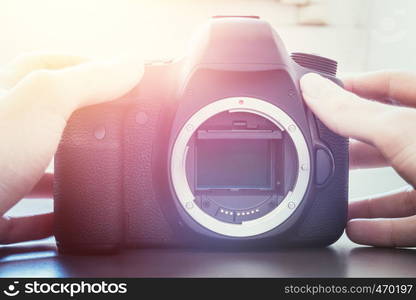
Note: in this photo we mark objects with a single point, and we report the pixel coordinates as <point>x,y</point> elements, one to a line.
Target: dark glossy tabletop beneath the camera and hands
<point>343,259</point>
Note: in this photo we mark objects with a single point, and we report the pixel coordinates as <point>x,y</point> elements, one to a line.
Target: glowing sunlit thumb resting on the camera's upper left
<point>65,90</point>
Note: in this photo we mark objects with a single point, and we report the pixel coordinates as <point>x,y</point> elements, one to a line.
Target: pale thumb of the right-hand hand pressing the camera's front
<point>389,128</point>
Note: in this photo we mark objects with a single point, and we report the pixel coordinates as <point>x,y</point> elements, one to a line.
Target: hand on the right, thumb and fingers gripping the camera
<point>385,136</point>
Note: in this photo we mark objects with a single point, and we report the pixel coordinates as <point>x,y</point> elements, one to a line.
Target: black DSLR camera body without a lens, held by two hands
<point>217,149</point>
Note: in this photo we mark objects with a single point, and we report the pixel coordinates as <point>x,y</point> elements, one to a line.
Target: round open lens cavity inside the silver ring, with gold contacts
<point>240,166</point>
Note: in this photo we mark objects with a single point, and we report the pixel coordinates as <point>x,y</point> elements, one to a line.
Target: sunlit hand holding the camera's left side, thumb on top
<point>38,93</point>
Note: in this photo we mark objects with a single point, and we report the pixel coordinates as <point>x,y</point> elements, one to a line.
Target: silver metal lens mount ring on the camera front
<point>252,227</point>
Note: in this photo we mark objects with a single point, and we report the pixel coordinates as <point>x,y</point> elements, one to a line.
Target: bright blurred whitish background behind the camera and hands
<point>362,35</point>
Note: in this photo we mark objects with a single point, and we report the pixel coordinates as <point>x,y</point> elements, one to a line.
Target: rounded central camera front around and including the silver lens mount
<point>239,164</point>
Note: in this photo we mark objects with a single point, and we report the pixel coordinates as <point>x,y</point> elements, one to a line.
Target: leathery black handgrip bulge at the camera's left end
<point>88,183</point>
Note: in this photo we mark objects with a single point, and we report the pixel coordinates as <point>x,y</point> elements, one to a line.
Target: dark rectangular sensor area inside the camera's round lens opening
<point>235,164</point>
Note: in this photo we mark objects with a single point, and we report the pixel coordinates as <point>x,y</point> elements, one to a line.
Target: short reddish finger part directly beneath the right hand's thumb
<point>363,155</point>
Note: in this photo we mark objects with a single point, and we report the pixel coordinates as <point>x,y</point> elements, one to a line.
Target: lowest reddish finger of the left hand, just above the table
<point>20,229</point>
